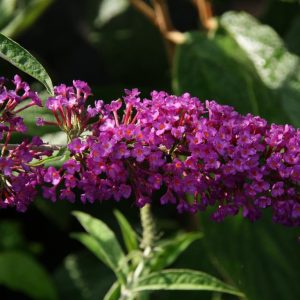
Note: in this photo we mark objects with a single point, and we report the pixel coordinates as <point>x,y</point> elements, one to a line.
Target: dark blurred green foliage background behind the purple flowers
<point>250,60</point>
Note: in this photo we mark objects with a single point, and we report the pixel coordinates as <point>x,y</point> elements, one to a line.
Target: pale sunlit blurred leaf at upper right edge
<point>278,69</point>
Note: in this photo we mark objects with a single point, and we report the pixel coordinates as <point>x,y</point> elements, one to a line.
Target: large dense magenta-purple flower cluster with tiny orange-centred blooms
<point>193,154</point>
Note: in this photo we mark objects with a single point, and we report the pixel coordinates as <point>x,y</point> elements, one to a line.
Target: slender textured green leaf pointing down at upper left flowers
<point>23,60</point>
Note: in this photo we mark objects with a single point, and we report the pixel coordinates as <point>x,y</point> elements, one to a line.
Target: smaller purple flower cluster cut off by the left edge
<point>18,179</point>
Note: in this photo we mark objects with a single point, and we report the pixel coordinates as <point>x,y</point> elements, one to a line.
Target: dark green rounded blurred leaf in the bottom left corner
<point>20,272</point>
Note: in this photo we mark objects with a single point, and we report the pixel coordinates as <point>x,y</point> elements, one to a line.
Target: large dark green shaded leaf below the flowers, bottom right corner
<point>261,258</point>
